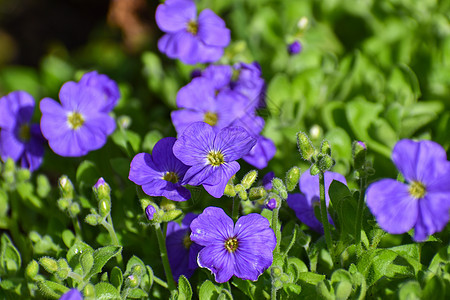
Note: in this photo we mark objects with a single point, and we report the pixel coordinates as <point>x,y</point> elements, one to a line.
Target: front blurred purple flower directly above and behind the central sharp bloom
<point>200,102</point>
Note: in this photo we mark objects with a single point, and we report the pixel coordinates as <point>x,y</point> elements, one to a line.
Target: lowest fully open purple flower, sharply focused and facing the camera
<point>243,250</point>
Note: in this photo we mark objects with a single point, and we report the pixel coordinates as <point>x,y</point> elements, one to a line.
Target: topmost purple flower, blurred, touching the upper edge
<point>188,38</point>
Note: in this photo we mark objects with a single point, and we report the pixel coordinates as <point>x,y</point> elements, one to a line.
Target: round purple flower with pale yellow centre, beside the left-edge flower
<point>77,125</point>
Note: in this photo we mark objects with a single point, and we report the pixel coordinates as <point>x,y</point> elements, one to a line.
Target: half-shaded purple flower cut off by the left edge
<point>19,139</point>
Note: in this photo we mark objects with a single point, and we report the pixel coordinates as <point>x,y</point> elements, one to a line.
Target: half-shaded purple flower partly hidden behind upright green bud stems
<point>303,204</point>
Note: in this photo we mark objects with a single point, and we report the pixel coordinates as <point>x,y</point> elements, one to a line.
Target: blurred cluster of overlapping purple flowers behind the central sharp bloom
<point>227,96</point>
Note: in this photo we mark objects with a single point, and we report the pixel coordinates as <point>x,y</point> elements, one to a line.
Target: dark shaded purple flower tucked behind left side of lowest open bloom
<point>182,252</point>
